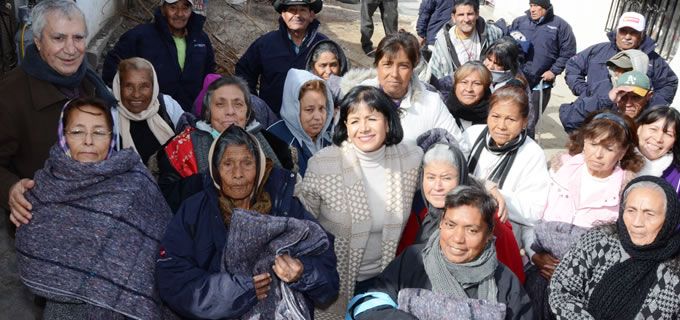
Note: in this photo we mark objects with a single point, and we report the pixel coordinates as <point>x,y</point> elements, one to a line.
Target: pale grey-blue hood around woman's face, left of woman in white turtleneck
<point>290,109</point>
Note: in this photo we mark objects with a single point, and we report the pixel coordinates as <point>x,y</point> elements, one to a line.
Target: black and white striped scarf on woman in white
<point>508,153</point>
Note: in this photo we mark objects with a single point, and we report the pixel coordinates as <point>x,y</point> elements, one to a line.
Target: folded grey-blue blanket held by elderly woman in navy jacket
<point>253,243</point>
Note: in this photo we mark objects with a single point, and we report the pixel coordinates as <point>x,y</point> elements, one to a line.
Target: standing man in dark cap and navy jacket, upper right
<point>551,45</point>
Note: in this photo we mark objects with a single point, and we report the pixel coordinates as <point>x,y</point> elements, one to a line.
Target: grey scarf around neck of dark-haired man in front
<point>452,278</point>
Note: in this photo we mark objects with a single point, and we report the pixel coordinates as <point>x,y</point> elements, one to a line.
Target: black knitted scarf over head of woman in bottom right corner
<point>625,286</point>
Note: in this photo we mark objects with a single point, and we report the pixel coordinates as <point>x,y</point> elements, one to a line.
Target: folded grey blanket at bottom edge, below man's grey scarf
<point>427,305</point>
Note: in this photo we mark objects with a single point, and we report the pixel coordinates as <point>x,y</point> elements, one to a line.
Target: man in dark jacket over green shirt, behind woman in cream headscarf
<point>175,44</point>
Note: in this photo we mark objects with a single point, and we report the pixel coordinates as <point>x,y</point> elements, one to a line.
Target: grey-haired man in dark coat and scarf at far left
<point>53,72</point>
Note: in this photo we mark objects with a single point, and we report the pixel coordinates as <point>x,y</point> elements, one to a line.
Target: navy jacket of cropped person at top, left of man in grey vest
<point>432,16</point>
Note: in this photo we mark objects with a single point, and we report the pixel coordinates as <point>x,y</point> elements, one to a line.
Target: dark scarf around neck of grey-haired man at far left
<point>36,67</point>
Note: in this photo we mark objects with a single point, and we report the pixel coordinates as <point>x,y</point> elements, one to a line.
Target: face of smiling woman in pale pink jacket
<point>601,158</point>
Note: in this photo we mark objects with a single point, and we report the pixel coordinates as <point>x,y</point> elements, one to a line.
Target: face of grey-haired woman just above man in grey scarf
<point>439,177</point>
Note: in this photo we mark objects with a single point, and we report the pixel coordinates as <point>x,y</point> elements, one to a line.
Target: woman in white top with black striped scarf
<point>502,153</point>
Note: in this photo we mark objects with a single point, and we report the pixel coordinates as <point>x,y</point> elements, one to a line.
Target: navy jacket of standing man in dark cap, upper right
<point>552,44</point>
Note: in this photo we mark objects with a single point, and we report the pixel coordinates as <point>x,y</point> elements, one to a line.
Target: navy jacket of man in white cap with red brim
<point>588,67</point>
